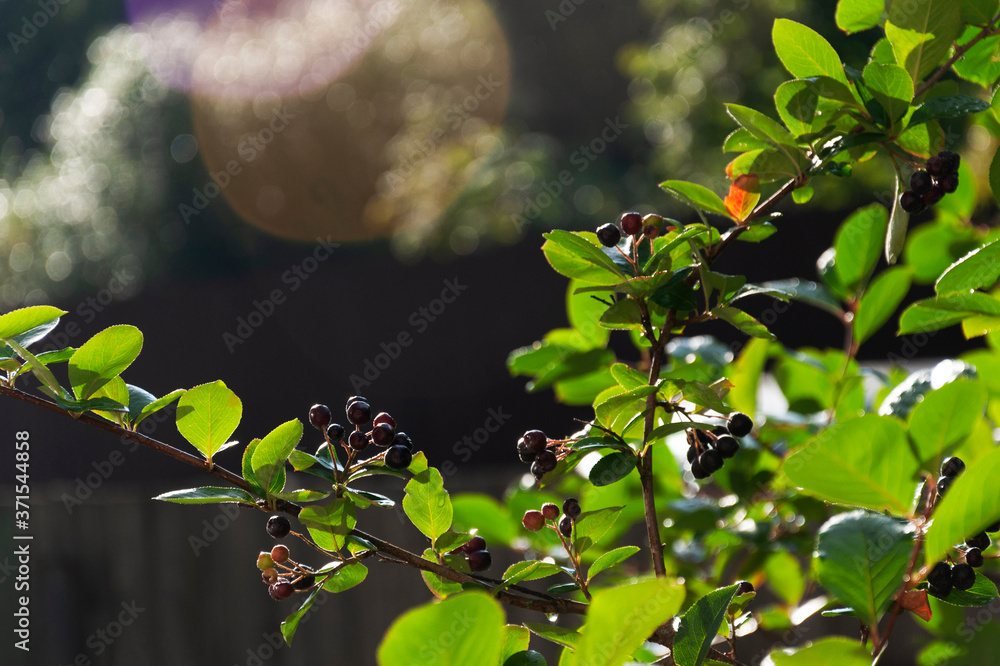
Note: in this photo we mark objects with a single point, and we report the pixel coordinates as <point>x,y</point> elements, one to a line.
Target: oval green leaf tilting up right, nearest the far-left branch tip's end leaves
<point>103,357</point>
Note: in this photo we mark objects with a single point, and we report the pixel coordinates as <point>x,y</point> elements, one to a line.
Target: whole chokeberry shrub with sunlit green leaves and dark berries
<point>873,495</point>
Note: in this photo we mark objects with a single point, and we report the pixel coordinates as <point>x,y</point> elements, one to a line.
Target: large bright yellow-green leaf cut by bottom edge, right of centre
<point>620,619</point>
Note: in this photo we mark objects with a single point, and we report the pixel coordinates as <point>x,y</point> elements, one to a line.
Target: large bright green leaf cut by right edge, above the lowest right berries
<point>966,509</point>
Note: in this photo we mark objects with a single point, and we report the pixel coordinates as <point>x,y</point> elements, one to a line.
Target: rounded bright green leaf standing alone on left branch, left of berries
<point>207,415</point>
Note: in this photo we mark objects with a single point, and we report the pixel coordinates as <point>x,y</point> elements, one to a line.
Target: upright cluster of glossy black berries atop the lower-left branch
<point>383,431</point>
